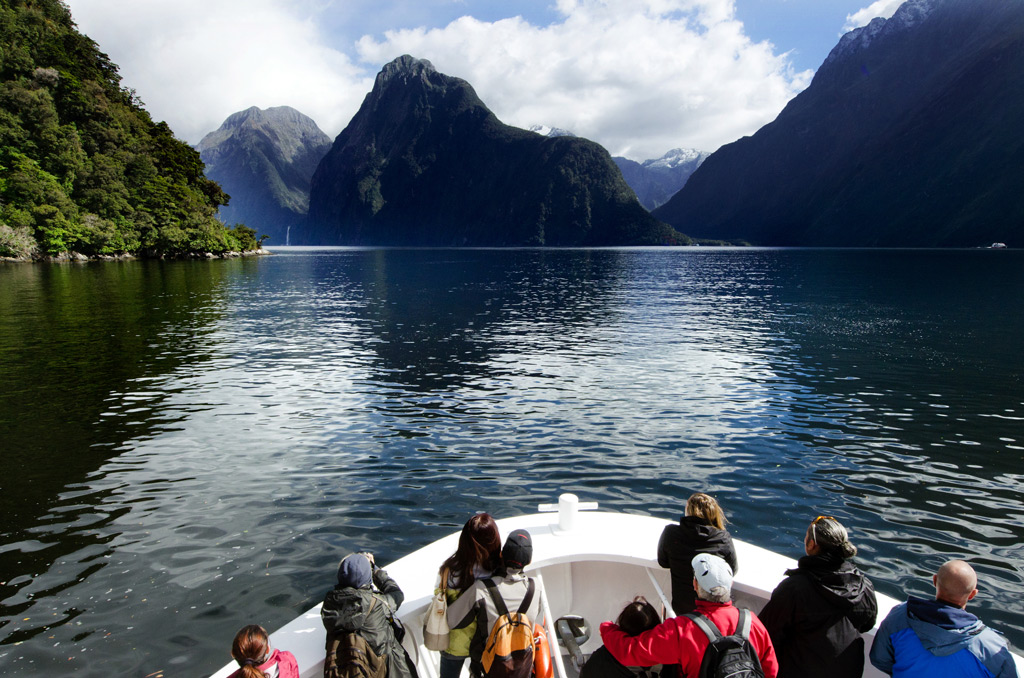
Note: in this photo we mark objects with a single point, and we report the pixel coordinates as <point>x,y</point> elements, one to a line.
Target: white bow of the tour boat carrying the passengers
<point>586,565</point>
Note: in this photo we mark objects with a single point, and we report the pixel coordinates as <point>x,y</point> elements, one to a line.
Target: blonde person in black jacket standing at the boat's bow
<point>701,530</point>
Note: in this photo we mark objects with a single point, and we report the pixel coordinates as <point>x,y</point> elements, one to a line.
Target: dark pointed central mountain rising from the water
<point>424,162</point>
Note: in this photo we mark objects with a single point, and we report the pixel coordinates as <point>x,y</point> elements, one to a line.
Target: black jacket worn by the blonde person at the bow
<point>678,546</point>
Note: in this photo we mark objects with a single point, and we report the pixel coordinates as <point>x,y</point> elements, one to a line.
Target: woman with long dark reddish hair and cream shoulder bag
<point>479,556</point>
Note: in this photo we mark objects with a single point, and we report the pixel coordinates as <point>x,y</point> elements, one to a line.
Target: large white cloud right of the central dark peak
<point>641,78</point>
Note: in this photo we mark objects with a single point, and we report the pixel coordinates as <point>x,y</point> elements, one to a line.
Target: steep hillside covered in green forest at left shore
<point>83,167</point>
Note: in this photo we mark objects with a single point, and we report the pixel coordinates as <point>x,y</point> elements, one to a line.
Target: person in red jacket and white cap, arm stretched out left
<point>680,641</point>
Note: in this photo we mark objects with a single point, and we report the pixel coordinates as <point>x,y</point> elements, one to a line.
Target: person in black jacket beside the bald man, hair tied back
<point>817,615</point>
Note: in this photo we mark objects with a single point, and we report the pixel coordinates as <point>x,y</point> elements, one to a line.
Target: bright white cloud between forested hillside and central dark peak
<point>194,63</point>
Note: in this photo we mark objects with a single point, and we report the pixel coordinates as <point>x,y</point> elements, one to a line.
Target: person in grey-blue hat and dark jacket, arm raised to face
<point>354,607</point>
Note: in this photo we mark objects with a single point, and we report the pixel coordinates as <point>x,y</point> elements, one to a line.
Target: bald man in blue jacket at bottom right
<point>940,639</point>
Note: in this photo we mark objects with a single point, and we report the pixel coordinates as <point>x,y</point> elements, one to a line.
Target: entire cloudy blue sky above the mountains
<point>641,77</point>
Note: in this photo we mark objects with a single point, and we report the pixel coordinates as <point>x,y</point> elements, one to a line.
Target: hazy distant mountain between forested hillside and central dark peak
<point>265,160</point>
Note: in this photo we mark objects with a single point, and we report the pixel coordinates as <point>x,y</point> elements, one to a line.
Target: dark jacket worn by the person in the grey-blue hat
<point>348,609</point>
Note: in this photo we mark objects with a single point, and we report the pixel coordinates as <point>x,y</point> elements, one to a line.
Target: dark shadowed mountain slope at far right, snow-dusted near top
<point>909,136</point>
